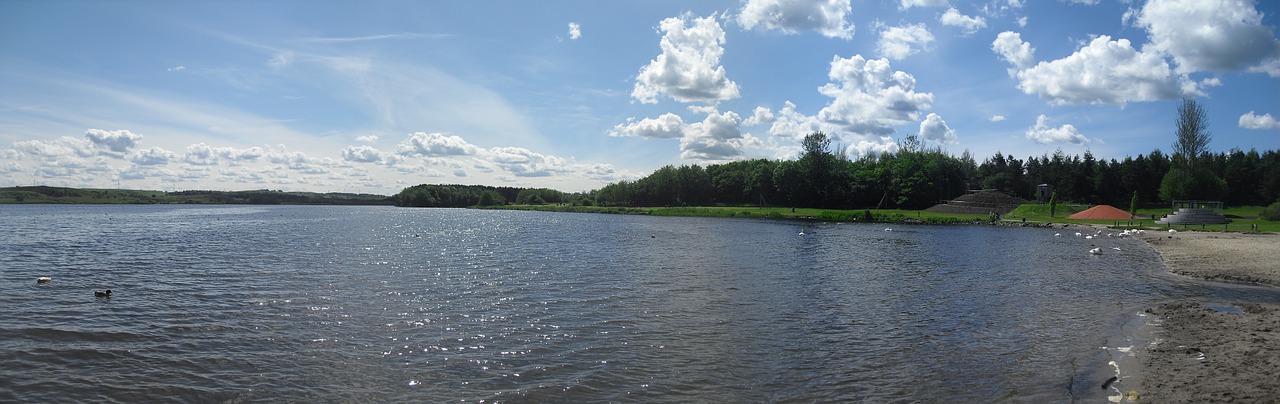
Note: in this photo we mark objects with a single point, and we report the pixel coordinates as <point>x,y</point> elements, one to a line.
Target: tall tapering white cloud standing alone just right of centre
<point>688,70</point>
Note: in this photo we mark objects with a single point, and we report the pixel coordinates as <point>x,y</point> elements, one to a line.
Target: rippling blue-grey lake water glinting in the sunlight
<point>232,304</point>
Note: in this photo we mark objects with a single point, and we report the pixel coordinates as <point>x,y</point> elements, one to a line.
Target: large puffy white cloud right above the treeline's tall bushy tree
<point>870,98</point>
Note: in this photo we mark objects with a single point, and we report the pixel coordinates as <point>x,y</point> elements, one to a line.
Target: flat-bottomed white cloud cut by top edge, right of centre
<point>826,17</point>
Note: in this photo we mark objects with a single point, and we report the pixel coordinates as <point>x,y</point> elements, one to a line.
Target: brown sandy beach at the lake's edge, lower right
<point>1215,353</point>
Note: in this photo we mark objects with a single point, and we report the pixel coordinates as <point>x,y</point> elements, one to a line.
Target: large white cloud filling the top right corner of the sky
<point>1212,35</point>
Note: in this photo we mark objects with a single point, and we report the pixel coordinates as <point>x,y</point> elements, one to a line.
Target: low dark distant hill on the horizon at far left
<point>61,195</point>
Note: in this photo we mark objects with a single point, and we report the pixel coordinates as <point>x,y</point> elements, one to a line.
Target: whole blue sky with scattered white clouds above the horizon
<point>376,97</point>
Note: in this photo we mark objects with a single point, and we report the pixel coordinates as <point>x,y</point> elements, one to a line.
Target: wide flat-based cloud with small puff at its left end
<point>1103,72</point>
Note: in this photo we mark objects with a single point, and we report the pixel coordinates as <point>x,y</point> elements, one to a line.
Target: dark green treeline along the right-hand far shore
<point>918,177</point>
